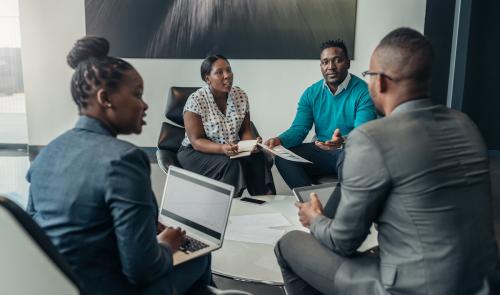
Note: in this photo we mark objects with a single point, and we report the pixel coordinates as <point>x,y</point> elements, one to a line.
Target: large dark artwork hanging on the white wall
<point>242,29</point>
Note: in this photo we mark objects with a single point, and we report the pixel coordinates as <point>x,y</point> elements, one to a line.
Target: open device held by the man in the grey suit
<point>328,195</point>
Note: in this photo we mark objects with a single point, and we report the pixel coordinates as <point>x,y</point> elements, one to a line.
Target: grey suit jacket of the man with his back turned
<point>421,174</point>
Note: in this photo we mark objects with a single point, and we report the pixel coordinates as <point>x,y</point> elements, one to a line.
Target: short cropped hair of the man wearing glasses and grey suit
<point>407,53</point>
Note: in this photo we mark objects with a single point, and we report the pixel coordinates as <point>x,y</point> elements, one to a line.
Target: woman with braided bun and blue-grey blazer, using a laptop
<point>91,192</point>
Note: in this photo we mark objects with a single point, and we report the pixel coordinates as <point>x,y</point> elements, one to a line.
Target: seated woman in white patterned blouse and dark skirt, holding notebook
<point>216,117</point>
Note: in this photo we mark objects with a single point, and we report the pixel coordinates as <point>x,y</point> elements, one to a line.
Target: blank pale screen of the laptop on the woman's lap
<point>196,201</point>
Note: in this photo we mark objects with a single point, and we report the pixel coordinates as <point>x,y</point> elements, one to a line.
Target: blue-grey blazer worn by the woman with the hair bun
<point>91,193</point>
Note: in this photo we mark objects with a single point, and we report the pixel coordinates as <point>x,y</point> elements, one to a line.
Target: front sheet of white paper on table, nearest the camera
<point>257,235</point>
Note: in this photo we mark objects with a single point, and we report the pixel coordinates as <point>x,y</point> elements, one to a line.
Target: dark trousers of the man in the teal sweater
<point>298,174</point>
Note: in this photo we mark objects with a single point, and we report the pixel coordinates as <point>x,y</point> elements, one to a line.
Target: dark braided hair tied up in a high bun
<point>94,69</point>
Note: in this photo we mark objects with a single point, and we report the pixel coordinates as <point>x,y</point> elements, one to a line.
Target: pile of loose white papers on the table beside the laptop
<point>256,228</point>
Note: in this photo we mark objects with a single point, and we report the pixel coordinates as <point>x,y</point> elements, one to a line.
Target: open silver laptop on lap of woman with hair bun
<point>200,206</point>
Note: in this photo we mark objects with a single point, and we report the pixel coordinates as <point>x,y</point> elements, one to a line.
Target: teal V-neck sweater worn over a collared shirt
<point>349,109</point>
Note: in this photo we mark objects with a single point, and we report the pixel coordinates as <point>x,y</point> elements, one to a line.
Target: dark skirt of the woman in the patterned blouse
<point>252,173</point>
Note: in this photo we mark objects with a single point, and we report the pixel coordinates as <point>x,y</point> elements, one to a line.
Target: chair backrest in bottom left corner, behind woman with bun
<point>30,263</point>
